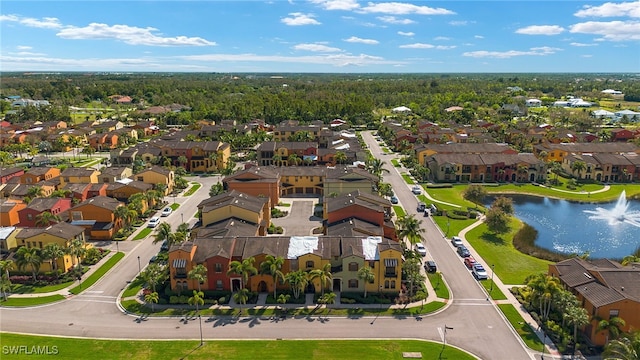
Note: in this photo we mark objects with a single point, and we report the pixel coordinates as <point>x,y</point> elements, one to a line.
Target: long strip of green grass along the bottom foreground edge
<point>68,348</point>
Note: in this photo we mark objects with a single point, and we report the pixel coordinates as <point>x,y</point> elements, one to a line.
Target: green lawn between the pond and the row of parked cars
<point>511,265</point>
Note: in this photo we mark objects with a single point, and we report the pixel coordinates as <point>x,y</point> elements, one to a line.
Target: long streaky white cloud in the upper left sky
<point>129,34</point>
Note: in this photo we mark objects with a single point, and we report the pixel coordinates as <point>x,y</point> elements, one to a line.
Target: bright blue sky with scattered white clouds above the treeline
<point>328,36</point>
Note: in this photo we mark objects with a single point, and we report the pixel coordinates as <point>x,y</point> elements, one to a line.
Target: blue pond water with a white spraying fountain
<point>563,226</point>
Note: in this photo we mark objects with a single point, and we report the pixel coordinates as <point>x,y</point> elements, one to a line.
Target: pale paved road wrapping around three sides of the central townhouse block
<point>477,325</point>
